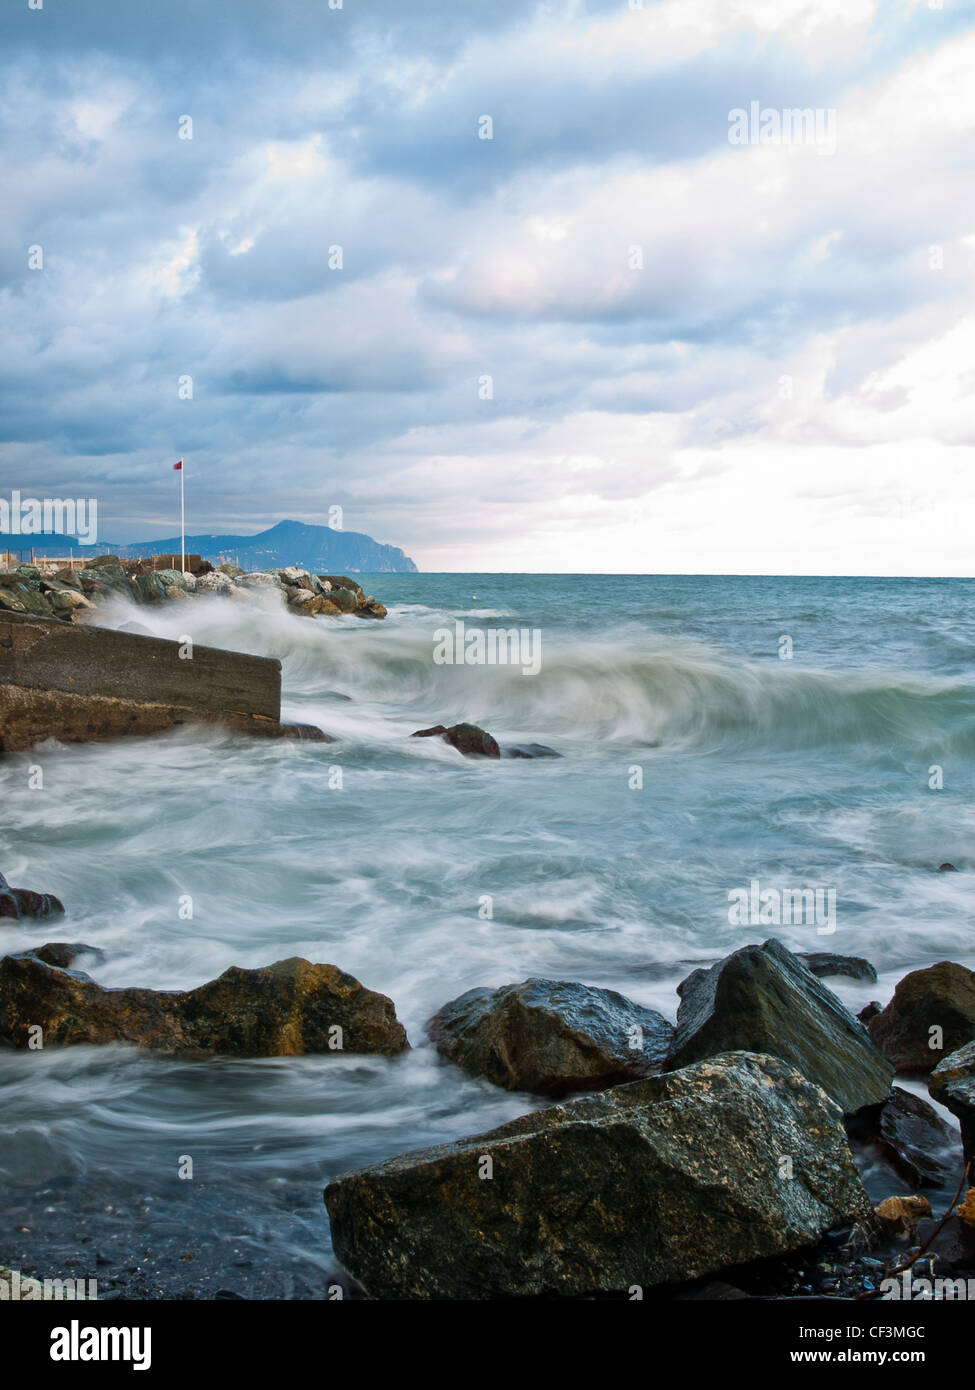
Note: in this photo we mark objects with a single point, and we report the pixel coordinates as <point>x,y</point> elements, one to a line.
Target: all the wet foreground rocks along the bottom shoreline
<point>721,1157</point>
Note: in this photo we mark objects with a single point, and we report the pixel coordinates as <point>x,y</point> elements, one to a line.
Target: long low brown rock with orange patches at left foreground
<point>283,1010</point>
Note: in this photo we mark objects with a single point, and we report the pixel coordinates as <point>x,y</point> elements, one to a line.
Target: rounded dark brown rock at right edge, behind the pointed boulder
<point>940,997</point>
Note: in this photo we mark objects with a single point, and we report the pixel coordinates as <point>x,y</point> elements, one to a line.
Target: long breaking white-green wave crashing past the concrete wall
<point>682,694</point>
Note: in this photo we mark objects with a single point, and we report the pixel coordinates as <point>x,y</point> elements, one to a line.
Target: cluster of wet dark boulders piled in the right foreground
<point>725,1140</point>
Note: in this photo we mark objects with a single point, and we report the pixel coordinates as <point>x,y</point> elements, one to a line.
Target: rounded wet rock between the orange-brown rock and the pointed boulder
<point>551,1038</point>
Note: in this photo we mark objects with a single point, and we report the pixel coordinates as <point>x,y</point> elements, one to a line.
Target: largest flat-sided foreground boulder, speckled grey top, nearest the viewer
<point>661,1181</point>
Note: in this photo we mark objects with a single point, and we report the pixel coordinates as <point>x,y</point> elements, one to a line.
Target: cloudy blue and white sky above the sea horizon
<point>492,277</point>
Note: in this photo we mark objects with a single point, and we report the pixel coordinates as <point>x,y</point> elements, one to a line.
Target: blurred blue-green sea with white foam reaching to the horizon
<point>724,743</point>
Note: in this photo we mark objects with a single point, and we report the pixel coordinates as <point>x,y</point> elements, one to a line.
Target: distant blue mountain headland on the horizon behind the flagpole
<point>315,548</point>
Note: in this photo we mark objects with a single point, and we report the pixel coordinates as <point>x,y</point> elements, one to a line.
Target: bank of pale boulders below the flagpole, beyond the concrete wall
<point>76,594</point>
